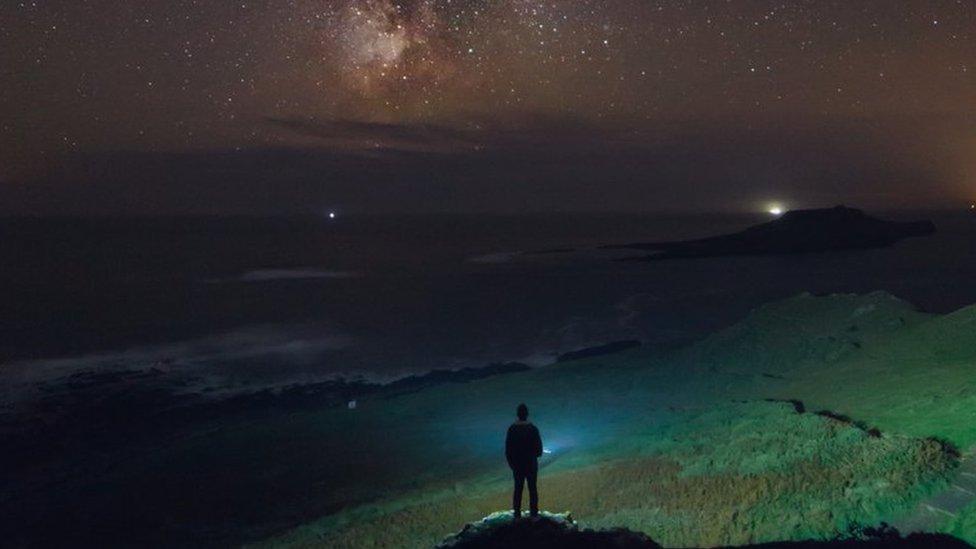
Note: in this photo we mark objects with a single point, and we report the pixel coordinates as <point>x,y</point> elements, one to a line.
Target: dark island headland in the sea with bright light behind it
<point>797,231</point>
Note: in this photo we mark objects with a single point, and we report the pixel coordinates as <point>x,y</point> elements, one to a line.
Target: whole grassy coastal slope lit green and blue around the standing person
<point>699,446</point>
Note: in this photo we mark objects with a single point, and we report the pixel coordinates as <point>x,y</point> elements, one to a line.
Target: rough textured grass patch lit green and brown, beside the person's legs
<point>707,488</point>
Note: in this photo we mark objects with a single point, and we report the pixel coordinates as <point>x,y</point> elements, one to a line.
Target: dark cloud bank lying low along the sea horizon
<point>530,163</point>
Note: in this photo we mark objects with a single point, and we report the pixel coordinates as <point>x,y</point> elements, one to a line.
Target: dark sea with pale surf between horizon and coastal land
<point>240,304</point>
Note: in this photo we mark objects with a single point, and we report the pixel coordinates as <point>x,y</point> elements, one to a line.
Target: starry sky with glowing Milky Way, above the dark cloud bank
<point>83,76</point>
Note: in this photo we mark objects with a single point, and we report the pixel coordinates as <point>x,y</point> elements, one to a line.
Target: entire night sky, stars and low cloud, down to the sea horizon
<point>283,106</point>
